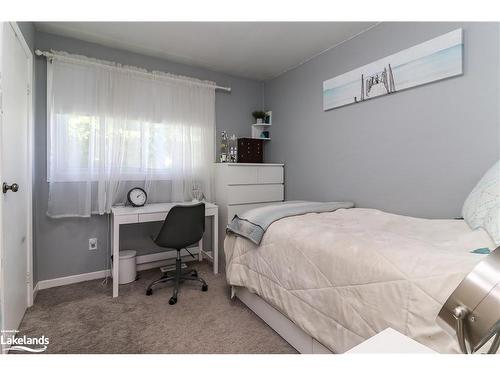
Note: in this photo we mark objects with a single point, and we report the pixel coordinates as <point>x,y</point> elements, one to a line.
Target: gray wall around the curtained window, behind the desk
<point>62,244</point>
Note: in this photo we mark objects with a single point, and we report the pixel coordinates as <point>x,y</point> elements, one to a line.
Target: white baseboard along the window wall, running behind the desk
<point>144,262</point>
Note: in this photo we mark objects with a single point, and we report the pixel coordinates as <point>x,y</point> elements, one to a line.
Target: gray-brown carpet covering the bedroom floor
<point>83,318</point>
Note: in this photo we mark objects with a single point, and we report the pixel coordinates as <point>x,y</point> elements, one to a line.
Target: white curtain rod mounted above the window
<point>51,55</point>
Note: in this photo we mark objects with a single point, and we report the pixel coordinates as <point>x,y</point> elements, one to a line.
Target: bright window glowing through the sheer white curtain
<point>145,149</point>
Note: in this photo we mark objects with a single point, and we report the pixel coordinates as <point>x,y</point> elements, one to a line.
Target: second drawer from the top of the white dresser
<point>239,194</point>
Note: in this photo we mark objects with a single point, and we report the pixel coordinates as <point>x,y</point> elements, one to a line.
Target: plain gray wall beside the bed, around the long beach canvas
<point>417,152</point>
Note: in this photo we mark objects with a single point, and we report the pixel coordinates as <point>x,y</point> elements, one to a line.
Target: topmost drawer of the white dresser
<point>247,175</point>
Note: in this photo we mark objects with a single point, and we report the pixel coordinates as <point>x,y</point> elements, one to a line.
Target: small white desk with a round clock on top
<point>156,212</point>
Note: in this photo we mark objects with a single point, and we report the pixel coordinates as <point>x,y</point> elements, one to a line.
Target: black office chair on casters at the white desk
<point>183,226</point>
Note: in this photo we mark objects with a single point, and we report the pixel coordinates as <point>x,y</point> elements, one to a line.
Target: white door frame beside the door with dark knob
<point>29,178</point>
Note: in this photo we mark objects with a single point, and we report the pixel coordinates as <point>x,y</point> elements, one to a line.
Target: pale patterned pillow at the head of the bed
<point>482,207</point>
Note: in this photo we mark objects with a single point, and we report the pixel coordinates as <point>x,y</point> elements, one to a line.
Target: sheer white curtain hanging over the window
<point>110,129</point>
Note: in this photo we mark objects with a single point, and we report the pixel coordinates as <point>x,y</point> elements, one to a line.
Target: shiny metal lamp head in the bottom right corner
<point>472,312</point>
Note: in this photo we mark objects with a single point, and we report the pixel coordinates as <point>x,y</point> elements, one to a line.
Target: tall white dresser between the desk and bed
<point>240,187</point>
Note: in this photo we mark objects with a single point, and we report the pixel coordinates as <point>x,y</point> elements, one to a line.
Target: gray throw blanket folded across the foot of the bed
<point>254,223</point>
